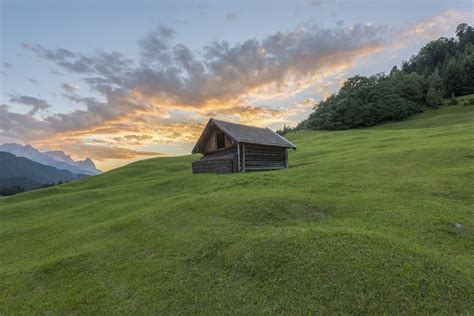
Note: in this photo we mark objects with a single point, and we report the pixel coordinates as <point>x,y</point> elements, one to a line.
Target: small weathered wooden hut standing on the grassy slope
<point>231,147</point>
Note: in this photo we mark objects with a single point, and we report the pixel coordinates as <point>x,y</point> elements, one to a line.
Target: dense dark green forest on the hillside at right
<point>443,68</point>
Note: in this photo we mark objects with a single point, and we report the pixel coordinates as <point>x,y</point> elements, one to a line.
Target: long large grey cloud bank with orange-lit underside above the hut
<point>176,73</point>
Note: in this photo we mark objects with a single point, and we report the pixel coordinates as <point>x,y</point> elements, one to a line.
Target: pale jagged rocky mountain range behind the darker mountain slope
<point>57,159</point>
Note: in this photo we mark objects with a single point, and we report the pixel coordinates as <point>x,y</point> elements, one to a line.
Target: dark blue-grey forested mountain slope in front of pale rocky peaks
<point>30,174</point>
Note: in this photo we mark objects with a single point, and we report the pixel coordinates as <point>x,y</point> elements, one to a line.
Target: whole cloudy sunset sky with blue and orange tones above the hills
<point>118,81</point>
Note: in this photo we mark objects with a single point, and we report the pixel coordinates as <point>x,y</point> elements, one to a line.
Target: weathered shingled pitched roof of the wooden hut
<point>243,134</point>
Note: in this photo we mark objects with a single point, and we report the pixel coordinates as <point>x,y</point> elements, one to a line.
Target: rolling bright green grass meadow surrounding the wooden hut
<point>361,222</point>
